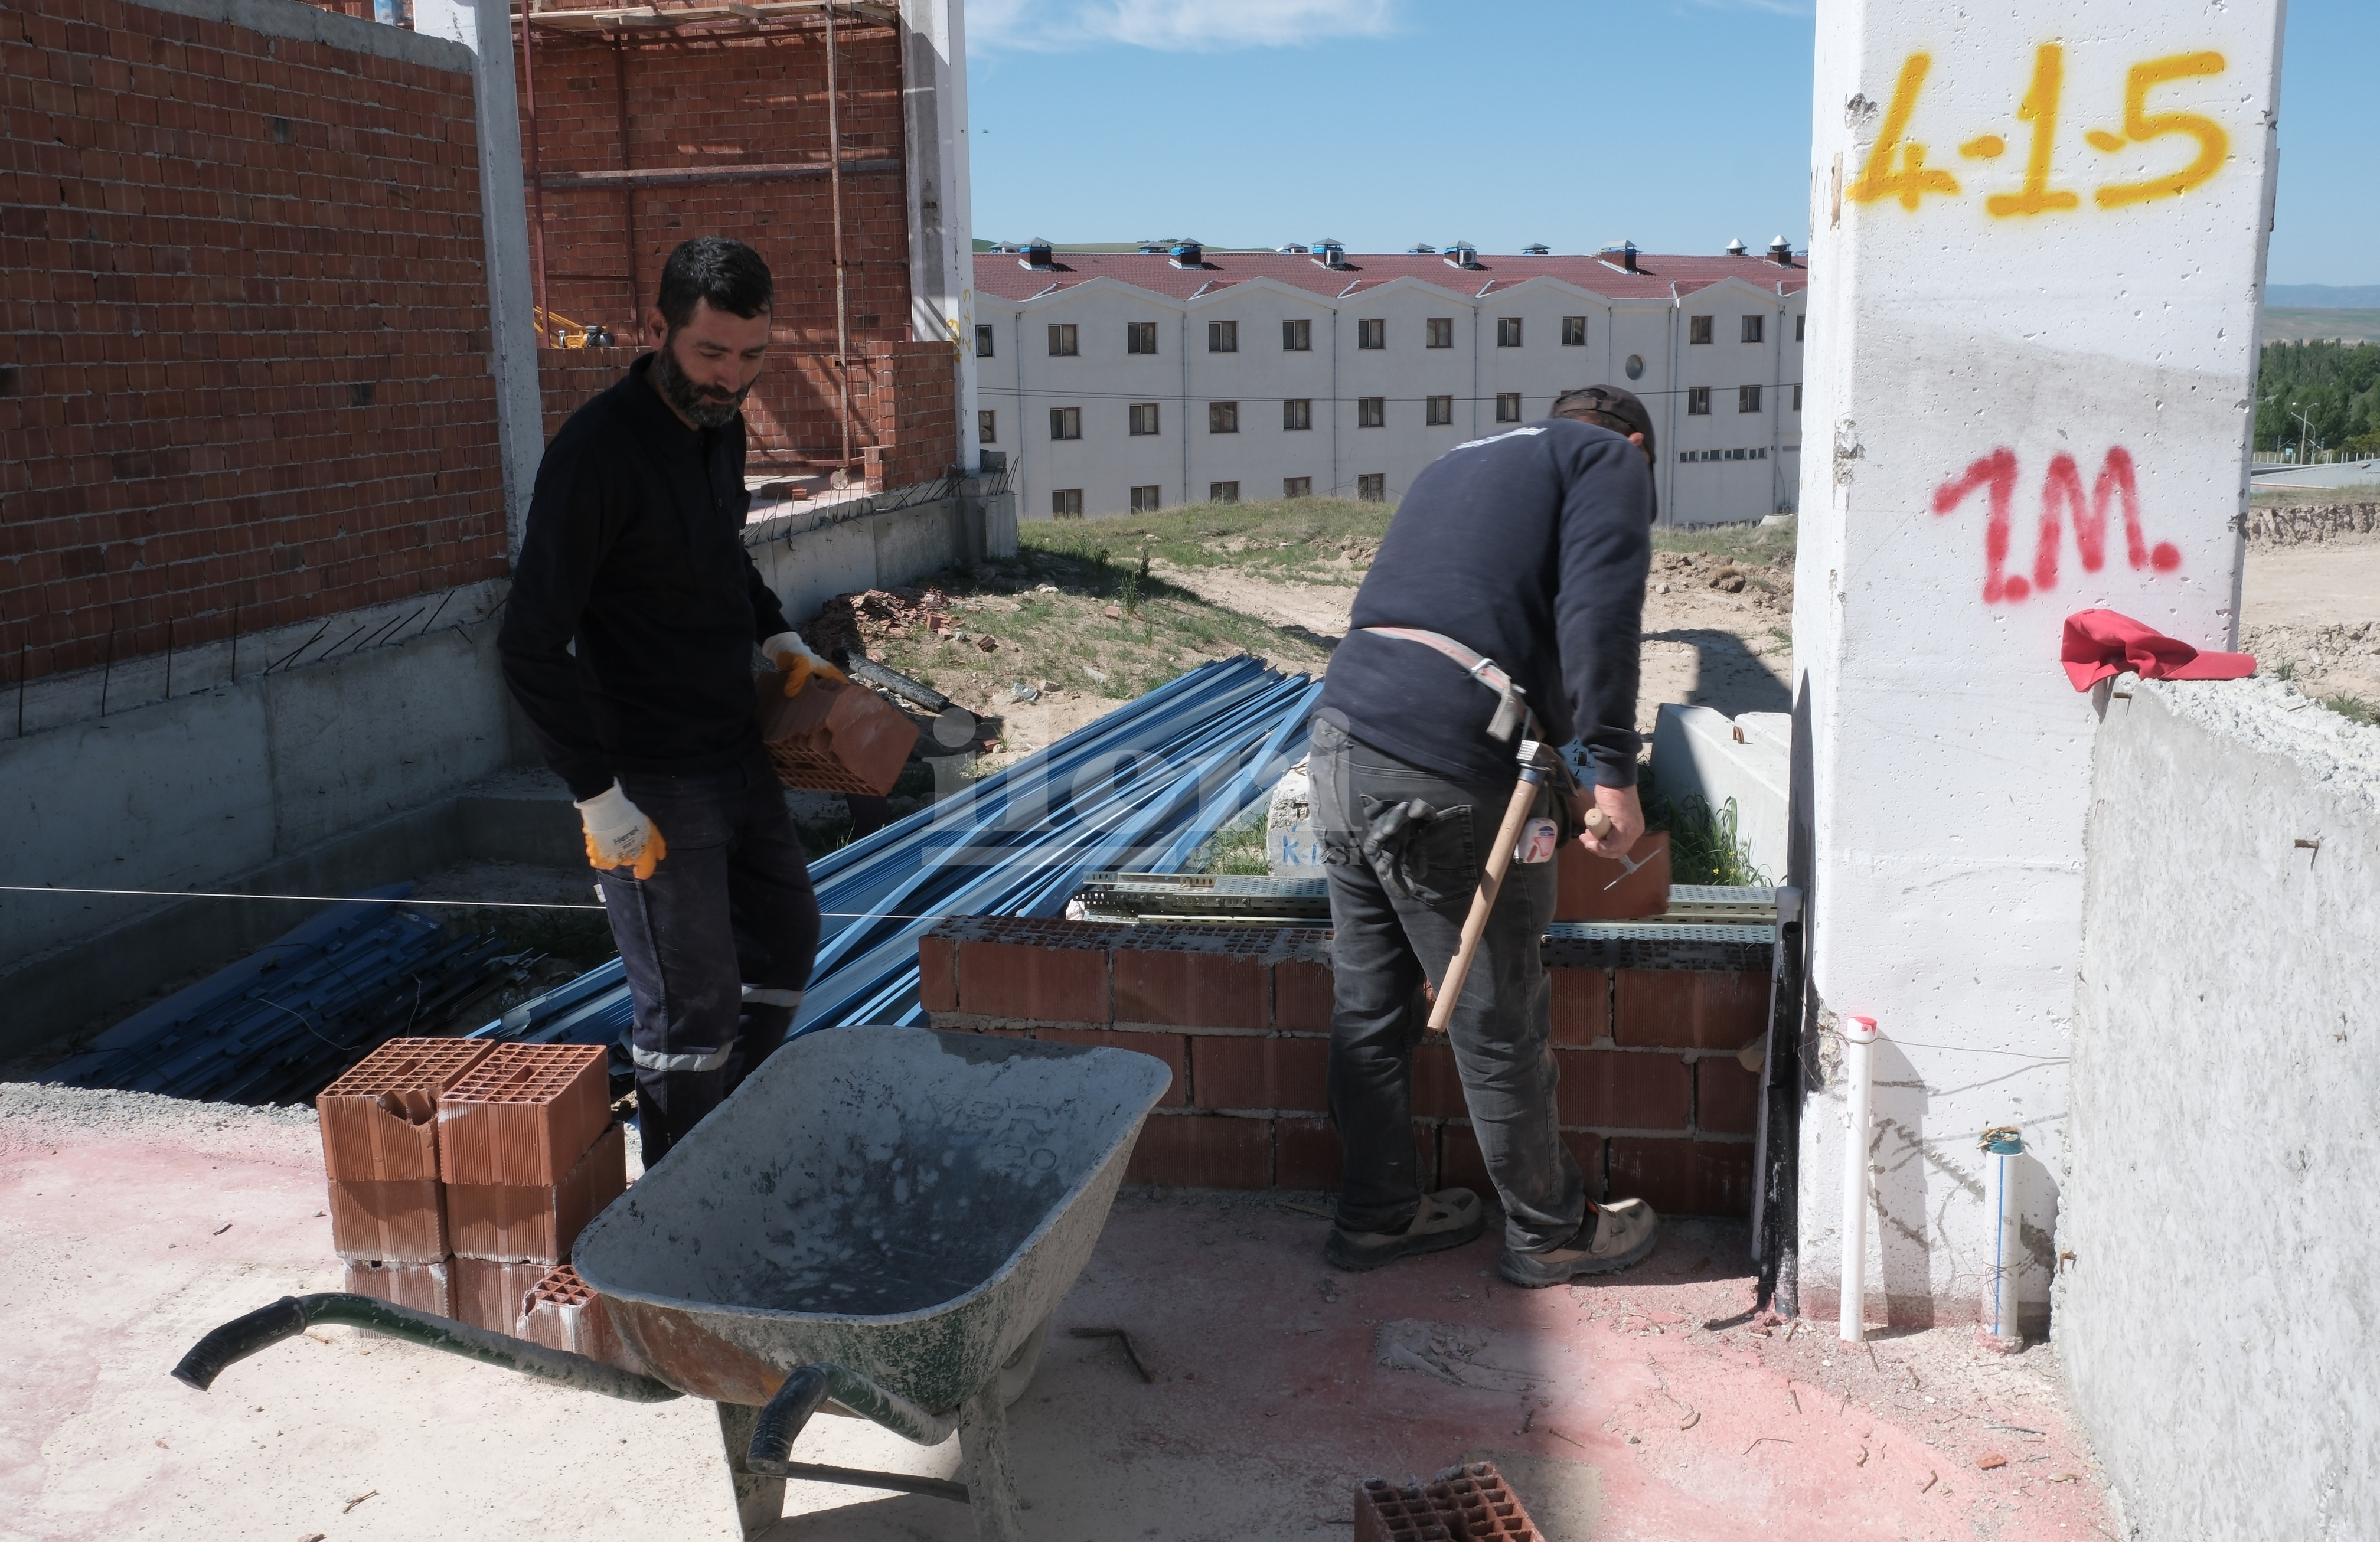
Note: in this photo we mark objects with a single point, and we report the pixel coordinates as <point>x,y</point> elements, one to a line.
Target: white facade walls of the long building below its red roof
<point>1722,468</point>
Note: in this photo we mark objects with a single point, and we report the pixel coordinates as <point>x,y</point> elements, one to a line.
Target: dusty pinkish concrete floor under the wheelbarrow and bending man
<point>1641,1408</point>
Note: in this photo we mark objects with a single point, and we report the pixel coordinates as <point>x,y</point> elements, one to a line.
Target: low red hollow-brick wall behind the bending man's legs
<point>1653,1098</point>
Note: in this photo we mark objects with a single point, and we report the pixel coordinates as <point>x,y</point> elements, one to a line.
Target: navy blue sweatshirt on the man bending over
<point>1532,549</point>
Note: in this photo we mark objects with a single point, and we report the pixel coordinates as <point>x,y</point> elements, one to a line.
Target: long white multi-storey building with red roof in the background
<point>1117,382</point>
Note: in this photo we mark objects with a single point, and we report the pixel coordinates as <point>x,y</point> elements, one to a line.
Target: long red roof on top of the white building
<point>1003,272</point>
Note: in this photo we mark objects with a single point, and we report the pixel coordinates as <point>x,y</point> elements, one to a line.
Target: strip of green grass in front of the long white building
<point>1296,539</point>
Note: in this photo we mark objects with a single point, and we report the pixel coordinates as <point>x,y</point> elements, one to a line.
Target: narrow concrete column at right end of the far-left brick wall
<point>513,330</point>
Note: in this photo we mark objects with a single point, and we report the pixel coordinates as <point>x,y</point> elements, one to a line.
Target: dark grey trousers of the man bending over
<point>1384,946</point>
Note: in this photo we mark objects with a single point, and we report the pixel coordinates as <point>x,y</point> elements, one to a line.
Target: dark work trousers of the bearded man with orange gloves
<point>718,944</point>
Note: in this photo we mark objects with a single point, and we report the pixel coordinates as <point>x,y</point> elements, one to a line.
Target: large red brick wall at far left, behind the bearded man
<point>244,334</point>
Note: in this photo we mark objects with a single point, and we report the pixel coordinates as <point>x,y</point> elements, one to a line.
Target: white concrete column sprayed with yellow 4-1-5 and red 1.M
<point>2036,253</point>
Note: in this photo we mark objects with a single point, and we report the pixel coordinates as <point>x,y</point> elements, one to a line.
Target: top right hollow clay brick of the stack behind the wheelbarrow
<point>525,1115</point>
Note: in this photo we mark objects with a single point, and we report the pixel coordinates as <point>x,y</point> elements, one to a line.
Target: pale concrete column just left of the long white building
<point>941,220</point>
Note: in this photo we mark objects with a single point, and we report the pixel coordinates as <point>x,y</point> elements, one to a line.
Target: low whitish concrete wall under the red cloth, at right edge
<point>2219,1315</point>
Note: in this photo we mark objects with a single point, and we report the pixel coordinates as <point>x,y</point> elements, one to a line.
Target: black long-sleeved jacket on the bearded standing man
<point>637,556</point>
